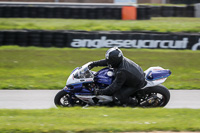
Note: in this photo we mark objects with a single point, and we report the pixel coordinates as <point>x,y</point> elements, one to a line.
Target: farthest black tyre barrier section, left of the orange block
<point>10,11</point>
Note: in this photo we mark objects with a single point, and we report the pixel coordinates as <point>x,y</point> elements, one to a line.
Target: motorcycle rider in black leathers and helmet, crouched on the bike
<point>129,77</point>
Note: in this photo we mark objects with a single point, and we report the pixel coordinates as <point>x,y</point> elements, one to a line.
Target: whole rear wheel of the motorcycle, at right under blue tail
<point>157,96</point>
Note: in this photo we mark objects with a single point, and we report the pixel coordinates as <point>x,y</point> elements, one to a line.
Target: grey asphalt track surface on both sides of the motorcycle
<point>44,99</point>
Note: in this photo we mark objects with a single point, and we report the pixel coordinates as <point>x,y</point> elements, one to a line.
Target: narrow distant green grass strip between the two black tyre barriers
<point>155,24</point>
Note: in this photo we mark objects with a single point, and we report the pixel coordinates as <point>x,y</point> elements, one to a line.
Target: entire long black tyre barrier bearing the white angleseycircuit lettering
<point>99,39</point>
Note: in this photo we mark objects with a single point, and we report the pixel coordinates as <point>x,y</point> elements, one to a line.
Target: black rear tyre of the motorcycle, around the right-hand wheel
<point>158,90</point>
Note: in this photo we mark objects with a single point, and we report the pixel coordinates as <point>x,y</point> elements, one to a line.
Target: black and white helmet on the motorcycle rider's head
<point>114,57</point>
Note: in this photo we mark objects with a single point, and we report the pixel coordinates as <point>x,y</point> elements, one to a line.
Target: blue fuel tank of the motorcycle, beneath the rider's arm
<point>102,77</point>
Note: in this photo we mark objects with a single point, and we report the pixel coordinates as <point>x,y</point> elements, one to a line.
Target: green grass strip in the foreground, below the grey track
<point>99,119</point>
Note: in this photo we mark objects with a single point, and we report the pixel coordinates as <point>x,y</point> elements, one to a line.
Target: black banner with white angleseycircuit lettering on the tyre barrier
<point>137,40</point>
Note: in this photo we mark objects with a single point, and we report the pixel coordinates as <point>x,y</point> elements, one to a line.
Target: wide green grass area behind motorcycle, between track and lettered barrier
<point>48,68</point>
